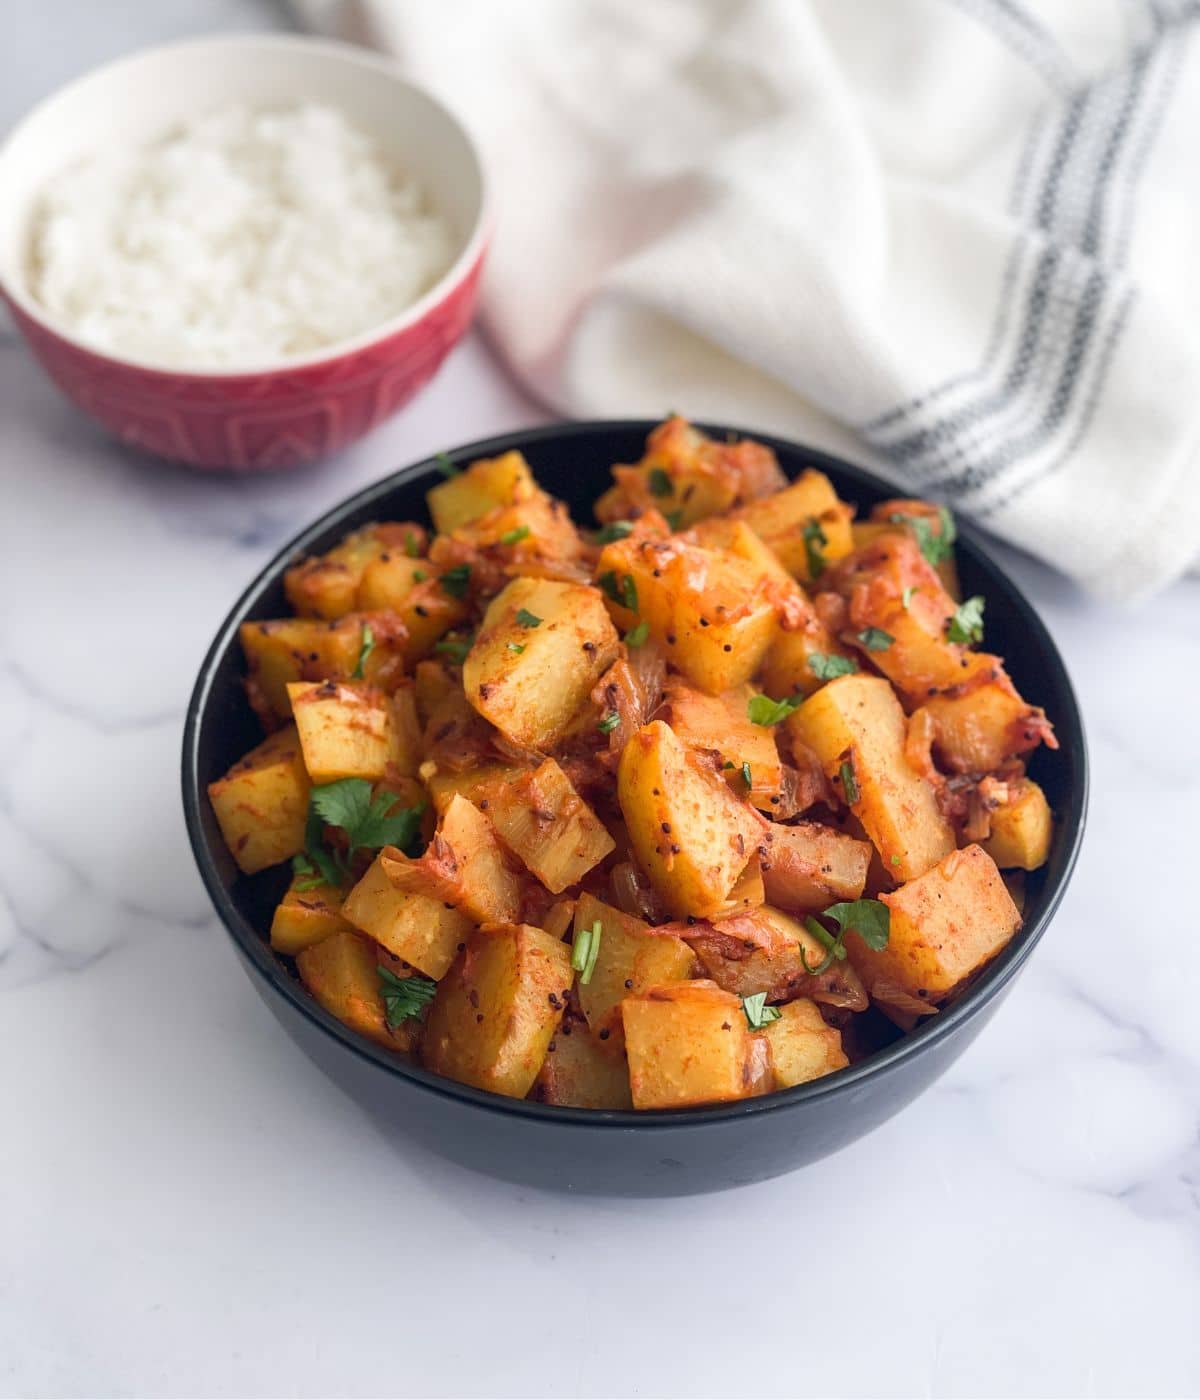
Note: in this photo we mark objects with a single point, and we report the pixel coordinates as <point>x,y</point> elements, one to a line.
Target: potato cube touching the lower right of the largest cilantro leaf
<point>418,929</point>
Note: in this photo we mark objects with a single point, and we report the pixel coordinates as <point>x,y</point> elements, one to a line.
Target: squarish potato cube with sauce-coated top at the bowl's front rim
<point>687,1044</point>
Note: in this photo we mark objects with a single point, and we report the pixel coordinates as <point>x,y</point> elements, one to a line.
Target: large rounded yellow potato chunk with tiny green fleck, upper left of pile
<point>530,680</point>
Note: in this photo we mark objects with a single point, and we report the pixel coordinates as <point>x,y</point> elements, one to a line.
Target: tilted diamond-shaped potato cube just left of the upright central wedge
<point>547,824</point>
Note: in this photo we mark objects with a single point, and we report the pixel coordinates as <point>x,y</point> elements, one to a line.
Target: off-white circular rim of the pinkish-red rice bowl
<point>454,276</point>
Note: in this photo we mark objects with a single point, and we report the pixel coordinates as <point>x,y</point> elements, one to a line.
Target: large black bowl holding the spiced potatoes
<point>621,1153</point>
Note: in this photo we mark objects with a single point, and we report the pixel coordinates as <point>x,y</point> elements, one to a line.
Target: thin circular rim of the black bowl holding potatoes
<point>267,965</point>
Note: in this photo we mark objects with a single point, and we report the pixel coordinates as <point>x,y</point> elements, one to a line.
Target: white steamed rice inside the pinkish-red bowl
<point>243,239</point>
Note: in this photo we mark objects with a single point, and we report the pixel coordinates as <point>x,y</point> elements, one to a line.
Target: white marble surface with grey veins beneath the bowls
<point>187,1207</point>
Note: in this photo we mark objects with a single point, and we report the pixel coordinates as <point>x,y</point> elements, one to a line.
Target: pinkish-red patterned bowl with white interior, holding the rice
<point>260,416</point>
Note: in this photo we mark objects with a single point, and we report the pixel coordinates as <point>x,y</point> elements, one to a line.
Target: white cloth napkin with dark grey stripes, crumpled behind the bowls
<point>956,239</point>
